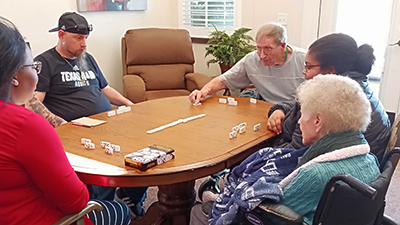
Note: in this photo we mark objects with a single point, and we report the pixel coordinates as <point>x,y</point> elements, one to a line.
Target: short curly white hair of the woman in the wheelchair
<point>339,99</point>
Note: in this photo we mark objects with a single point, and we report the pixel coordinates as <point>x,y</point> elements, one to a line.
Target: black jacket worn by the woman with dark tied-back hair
<point>377,133</point>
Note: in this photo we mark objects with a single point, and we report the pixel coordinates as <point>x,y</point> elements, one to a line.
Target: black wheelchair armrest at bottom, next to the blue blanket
<point>276,211</point>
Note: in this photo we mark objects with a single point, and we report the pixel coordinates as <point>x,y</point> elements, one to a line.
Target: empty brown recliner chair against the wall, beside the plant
<point>158,63</point>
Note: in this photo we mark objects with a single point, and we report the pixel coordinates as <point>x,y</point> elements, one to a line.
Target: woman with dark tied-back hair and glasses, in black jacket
<point>334,54</point>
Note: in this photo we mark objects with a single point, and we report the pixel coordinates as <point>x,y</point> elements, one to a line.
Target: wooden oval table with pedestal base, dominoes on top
<point>202,147</point>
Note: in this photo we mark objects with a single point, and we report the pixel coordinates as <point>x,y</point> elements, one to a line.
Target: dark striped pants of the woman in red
<point>113,213</point>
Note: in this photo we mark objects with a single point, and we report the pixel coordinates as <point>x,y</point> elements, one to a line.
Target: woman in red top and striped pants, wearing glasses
<point>37,183</point>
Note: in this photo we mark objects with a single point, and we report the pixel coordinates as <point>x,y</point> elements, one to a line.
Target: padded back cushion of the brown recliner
<point>160,56</point>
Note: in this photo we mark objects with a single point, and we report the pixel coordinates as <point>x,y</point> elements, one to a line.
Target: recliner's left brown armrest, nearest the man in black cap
<point>134,88</point>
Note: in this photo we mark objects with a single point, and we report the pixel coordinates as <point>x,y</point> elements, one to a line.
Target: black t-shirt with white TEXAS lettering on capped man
<point>71,93</point>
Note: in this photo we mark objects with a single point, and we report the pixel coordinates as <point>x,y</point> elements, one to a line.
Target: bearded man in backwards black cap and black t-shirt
<point>71,85</point>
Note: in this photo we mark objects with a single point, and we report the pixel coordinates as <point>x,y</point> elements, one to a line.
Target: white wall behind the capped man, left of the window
<point>35,18</point>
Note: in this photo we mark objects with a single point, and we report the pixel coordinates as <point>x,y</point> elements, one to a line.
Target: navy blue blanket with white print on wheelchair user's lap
<point>254,180</point>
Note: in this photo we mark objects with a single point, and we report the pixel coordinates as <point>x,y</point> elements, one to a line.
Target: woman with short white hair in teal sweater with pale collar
<point>334,113</point>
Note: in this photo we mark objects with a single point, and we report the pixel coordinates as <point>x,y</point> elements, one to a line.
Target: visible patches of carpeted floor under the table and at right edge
<point>392,197</point>
